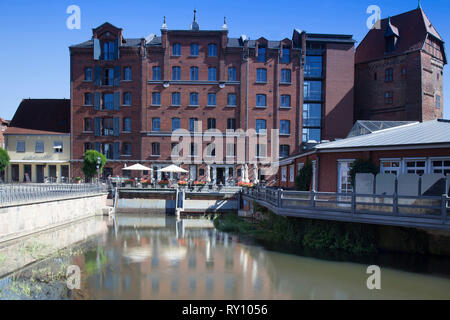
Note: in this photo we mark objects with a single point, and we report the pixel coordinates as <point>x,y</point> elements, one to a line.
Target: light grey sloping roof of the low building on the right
<point>429,132</point>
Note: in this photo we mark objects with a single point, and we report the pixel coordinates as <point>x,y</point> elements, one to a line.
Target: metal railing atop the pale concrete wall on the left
<point>12,194</point>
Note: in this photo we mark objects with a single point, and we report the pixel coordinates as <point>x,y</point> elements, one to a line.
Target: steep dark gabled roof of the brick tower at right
<point>412,29</point>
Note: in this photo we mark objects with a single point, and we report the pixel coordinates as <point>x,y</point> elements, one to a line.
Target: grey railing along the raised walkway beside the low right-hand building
<point>424,207</point>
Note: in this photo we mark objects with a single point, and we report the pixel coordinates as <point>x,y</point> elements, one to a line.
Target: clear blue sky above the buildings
<point>34,54</point>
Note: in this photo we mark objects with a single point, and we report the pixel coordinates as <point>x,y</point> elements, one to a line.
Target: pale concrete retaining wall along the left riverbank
<point>21,220</point>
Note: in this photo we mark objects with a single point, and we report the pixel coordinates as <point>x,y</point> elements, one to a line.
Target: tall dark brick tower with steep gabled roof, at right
<point>399,70</point>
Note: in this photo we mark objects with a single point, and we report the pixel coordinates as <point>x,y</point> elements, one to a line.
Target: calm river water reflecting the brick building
<point>142,257</point>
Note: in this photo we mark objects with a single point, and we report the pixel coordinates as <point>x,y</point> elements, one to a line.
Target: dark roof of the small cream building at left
<point>51,115</point>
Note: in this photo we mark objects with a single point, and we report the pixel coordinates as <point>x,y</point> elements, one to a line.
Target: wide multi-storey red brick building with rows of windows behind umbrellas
<point>129,95</point>
